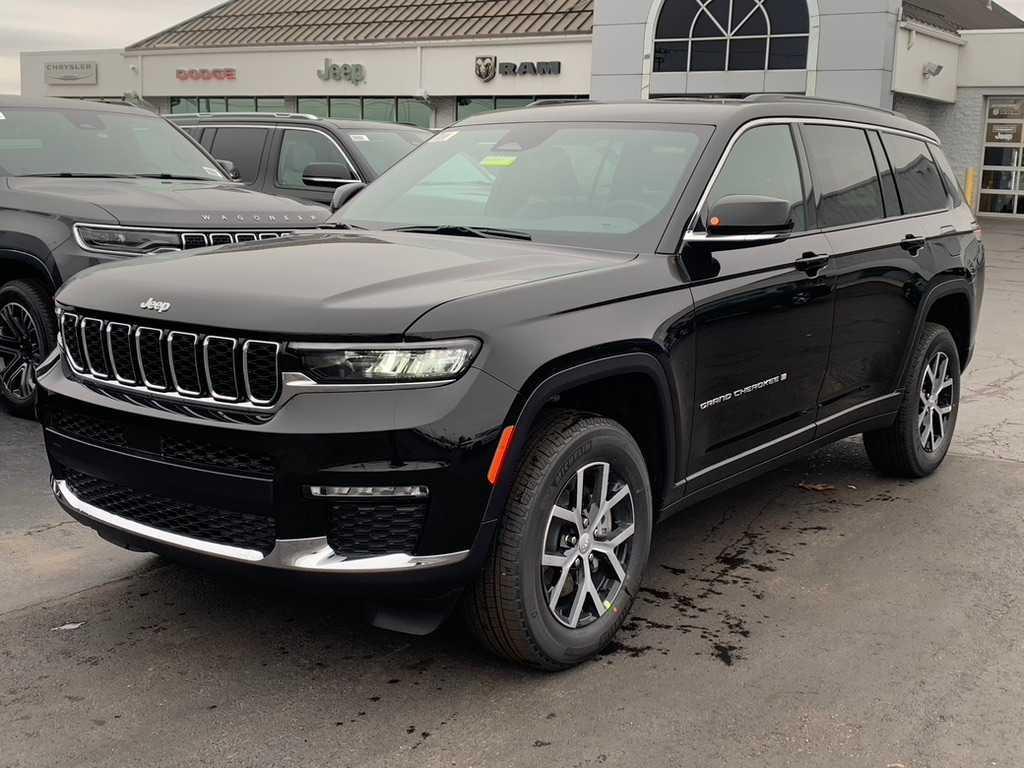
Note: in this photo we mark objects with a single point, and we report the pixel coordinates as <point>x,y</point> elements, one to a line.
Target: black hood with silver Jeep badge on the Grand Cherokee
<point>324,284</point>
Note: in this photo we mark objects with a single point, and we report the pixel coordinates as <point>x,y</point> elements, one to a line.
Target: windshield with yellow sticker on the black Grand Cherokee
<point>603,186</point>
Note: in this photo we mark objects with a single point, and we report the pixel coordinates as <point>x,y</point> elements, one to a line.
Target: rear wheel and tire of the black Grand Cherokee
<point>905,450</point>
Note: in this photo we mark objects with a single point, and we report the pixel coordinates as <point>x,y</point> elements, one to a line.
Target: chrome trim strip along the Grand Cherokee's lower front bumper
<point>309,556</point>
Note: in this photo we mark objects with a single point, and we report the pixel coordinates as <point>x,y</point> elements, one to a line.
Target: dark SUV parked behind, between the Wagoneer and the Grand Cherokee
<point>302,156</point>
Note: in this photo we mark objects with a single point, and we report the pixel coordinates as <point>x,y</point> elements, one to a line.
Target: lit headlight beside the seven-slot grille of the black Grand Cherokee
<point>434,361</point>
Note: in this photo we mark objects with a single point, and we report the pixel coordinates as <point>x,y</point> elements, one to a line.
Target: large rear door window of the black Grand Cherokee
<point>844,175</point>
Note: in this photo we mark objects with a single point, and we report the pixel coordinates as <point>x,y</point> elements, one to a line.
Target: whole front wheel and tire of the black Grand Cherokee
<point>509,608</point>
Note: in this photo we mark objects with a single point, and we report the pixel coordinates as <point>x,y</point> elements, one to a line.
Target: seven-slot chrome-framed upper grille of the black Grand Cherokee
<point>226,370</point>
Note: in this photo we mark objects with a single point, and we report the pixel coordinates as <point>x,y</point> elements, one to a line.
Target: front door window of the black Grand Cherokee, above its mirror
<point>763,162</point>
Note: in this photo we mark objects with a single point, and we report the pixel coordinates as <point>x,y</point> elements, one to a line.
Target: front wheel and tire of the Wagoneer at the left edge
<point>28,334</point>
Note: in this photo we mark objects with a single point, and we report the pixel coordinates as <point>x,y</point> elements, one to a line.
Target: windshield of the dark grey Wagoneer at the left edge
<point>83,142</point>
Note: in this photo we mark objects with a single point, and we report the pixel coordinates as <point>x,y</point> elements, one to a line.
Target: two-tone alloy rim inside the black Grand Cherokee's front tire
<point>587,545</point>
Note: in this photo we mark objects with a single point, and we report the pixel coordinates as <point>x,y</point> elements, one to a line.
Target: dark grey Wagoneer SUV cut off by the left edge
<point>82,184</point>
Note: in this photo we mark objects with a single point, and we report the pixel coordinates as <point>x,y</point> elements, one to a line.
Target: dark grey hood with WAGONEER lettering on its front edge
<point>188,205</point>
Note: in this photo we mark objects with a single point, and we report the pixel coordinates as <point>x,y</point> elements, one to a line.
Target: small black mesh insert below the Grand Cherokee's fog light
<point>372,529</point>
